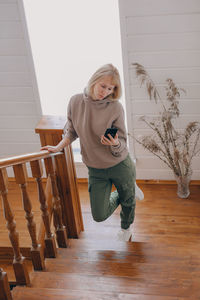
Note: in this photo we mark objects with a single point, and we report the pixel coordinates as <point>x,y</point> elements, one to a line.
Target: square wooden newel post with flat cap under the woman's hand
<point>51,129</point>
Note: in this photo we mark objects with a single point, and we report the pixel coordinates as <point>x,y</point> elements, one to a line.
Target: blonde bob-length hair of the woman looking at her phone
<point>106,70</point>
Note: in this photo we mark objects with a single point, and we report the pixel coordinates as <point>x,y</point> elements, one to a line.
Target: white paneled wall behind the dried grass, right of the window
<point>163,36</point>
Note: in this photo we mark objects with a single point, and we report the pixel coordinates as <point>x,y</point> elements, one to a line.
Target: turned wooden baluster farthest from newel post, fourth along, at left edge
<point>19,263</point>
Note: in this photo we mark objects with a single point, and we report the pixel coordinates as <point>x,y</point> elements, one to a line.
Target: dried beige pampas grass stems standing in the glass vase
<point>175,148</point>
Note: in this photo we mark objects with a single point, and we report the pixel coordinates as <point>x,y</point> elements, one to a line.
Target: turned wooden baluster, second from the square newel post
<point>37,172</point>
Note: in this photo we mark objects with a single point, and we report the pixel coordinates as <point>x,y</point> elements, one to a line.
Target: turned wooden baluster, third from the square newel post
<point>37,254</point>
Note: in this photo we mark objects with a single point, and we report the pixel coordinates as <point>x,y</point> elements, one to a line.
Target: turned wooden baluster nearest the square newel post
<point>61,233</point>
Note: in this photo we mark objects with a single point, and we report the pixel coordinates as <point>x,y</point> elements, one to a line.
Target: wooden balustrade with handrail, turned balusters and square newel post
<point>62,203</point>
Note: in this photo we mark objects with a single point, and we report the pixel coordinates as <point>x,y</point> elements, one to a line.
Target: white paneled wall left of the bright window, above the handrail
<point>20,108</point>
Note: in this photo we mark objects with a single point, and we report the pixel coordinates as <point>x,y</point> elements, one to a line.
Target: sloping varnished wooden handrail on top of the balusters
<point>24,158</point>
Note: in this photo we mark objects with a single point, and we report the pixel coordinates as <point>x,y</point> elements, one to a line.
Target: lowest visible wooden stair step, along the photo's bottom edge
<point>21,293</point>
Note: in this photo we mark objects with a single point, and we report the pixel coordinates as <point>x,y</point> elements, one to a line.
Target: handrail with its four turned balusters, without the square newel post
<point>37,252</point>
